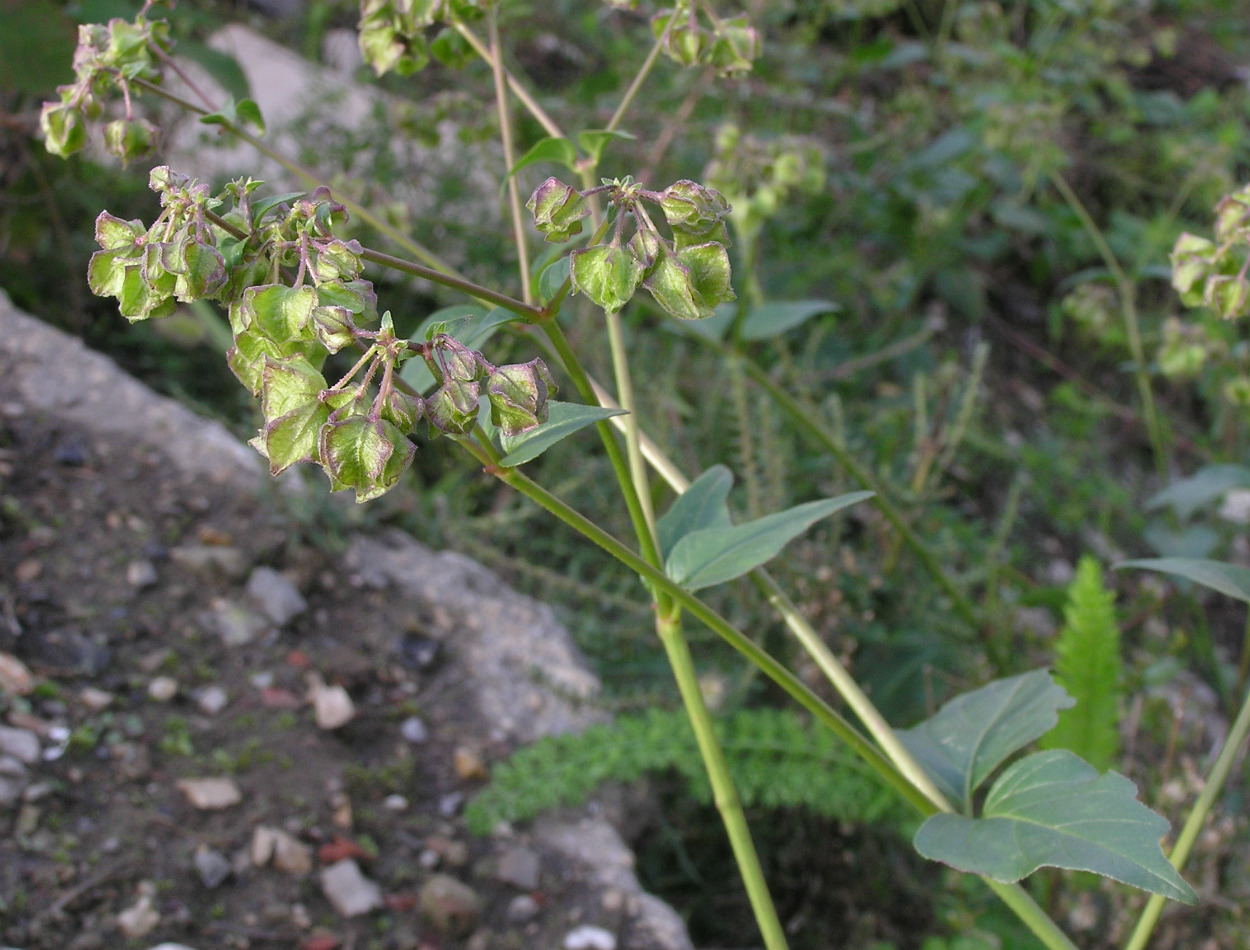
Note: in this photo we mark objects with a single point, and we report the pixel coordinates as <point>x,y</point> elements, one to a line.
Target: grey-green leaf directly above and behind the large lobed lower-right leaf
<point>973,736</point>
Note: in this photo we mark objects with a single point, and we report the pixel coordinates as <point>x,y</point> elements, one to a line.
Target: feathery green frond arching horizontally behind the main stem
<point>776,758</point>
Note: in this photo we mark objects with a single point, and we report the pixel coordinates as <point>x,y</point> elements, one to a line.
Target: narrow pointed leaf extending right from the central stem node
<point>714,556</point>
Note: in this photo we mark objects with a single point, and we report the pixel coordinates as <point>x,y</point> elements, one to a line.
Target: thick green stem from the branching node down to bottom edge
<point>724,794</point>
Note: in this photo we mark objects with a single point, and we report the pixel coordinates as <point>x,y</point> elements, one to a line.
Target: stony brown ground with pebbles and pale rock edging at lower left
<point>214,734</point>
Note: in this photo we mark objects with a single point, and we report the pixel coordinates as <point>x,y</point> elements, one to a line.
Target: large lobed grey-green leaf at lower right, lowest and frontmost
<point>1054,811</point>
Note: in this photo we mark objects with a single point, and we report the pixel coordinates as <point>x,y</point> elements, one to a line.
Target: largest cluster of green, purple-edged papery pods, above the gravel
<point>296,297</point>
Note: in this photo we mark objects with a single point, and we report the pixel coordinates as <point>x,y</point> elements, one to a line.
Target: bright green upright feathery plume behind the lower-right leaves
<point>1088,666</point>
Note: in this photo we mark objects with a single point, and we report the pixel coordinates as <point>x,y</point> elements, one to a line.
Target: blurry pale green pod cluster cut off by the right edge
<point>1214,273</point>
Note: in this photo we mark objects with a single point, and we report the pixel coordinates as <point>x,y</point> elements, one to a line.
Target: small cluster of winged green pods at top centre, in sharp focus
<point>688,274</point>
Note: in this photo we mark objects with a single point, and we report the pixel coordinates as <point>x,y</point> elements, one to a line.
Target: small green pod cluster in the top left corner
<point>109,57</point>
